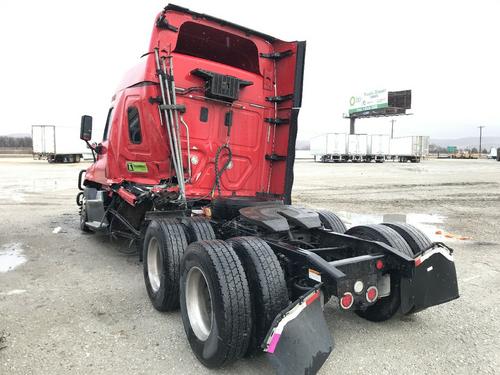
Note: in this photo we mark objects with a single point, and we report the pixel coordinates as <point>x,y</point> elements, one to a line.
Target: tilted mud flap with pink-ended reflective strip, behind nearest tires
<point>299,341</point>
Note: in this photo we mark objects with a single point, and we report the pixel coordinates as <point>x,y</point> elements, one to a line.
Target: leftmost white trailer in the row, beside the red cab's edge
<point>331,147</point>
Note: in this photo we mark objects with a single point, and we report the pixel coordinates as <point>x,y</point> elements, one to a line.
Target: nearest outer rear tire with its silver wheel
<point>215,303</point>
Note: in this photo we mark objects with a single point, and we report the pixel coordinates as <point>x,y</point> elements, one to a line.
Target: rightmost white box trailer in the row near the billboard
<point>412,148</point>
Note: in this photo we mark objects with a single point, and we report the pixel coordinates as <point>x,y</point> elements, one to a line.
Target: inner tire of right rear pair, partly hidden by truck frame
<point>386,307</point>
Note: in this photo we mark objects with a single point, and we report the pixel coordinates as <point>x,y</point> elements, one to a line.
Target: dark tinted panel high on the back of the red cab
<point>217,45</point>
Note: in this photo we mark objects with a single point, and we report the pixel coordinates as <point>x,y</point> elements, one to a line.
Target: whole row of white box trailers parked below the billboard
<point>338,147</point>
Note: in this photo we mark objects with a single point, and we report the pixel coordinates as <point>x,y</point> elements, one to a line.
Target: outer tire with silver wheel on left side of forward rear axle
<point>164,245</point>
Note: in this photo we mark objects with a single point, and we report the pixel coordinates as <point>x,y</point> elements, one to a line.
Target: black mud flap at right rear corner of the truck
<point>434,280</point>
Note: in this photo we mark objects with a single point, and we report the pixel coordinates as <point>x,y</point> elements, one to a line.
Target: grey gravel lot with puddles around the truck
<point>75,302</point>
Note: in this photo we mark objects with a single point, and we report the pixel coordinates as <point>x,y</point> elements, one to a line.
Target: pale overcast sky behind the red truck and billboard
<point>62,59</point>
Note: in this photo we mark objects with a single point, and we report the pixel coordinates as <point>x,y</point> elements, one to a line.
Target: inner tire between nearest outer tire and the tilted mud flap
<point>266,280</point>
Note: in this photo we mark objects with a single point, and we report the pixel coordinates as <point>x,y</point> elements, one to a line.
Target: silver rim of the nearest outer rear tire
<point>199,303</point>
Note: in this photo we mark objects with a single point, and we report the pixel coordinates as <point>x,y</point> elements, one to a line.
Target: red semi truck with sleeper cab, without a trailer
<point>196,167</point>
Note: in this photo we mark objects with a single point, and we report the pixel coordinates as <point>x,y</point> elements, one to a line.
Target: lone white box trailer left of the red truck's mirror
<point>57,144</point>
